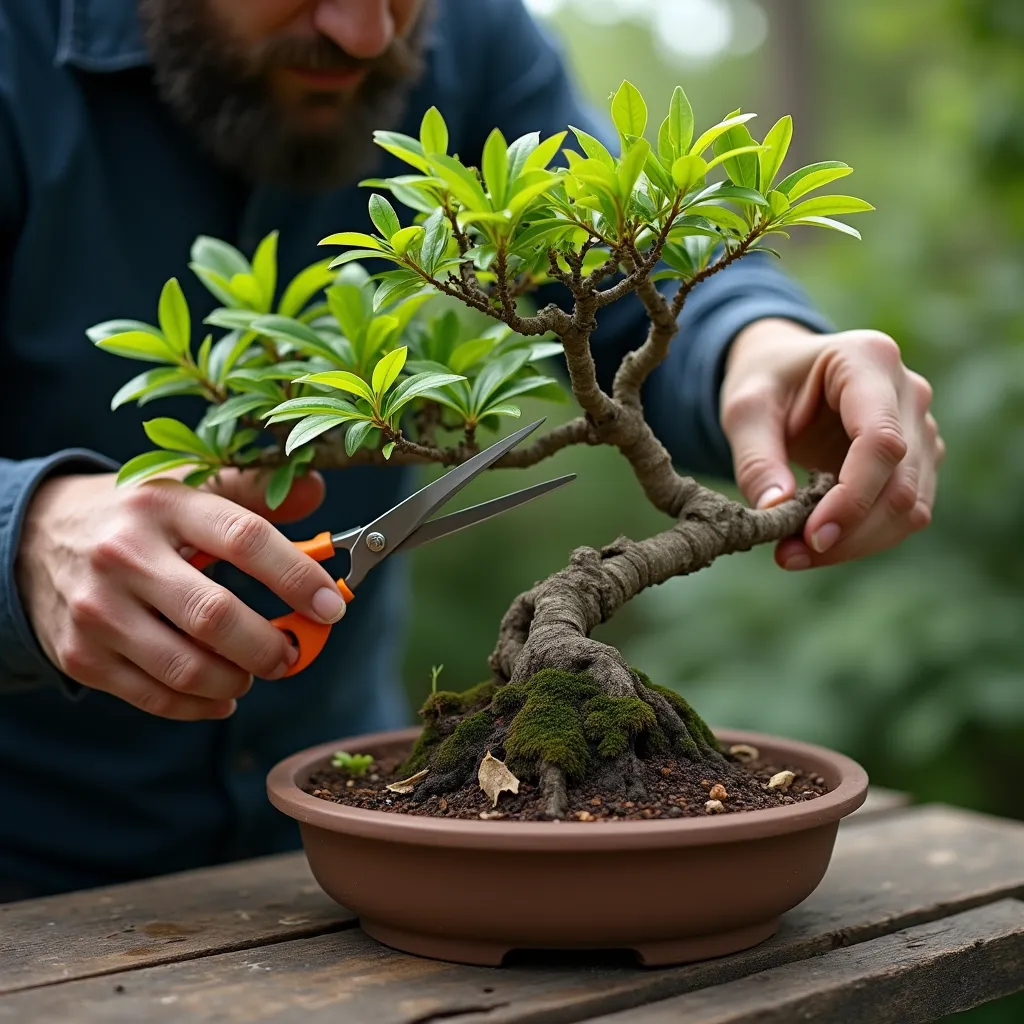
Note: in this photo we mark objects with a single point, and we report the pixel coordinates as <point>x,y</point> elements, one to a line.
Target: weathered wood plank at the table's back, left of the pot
<point>156,921</point>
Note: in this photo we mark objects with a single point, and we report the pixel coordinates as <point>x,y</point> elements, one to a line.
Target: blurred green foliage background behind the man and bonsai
<point>910,662</point>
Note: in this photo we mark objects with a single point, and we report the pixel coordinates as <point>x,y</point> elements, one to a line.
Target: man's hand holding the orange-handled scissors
<point>98,568</point>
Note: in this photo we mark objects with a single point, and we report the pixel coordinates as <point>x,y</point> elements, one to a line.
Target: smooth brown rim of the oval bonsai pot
<point>846,779</point>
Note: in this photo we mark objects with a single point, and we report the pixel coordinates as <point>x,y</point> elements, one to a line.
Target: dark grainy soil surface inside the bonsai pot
<point>677,788</point>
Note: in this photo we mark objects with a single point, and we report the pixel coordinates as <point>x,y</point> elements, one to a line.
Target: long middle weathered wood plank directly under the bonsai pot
<point>889,875</point>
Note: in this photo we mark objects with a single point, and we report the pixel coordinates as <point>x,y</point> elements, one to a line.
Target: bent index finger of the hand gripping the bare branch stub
<point>870,408</point>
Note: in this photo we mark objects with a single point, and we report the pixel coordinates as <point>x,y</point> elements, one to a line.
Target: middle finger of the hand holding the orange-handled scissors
<point>217,619</point>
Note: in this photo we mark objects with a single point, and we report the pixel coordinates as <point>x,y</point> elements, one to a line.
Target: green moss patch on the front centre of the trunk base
<point>549,728</point>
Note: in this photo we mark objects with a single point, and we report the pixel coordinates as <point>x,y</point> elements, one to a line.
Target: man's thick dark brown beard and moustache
<point>222,92</point>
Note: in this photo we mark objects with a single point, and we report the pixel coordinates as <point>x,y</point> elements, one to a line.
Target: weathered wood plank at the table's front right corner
<point>916,976</point>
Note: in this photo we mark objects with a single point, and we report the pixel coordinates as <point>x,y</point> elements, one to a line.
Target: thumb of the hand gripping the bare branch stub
<point>755,426</point>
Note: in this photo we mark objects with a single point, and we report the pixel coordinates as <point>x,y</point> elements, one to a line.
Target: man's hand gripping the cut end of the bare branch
<point>844,404</point>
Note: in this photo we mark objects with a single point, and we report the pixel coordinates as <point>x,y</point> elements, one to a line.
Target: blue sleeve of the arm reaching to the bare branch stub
<point>527,88</point>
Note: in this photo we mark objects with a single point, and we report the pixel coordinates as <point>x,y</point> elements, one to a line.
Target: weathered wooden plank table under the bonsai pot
<point>919,917</point>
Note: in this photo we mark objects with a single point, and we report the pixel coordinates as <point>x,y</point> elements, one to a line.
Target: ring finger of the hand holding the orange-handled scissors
<point>179,663</point>
